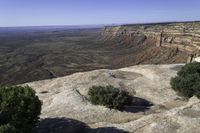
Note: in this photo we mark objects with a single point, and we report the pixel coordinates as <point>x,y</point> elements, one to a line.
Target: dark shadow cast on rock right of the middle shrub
<point>138,105</point>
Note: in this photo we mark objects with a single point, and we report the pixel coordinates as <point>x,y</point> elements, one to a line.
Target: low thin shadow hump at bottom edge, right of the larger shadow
<point>106,130</point>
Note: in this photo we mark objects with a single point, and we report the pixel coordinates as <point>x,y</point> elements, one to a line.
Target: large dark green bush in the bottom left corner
<point>19,108</point>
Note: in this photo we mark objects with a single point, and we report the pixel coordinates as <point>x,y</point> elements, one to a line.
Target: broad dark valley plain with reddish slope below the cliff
<point>49,53</point>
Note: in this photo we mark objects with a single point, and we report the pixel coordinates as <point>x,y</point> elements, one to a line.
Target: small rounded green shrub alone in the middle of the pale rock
<point>109,96</point>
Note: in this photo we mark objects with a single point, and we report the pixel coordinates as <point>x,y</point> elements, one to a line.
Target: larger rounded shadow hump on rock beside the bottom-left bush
<point>60,125</point>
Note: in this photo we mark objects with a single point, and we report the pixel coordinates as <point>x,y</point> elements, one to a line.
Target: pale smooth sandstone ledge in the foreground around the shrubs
<point>66,97</point>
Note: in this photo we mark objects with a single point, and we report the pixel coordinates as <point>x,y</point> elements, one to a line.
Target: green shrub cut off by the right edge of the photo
<point>187,81</point>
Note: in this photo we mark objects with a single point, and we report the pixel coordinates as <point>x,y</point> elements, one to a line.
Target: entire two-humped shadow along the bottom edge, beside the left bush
<point>64,125</point>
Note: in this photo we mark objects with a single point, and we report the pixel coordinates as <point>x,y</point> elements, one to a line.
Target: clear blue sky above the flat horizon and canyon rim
<point>82,12</point>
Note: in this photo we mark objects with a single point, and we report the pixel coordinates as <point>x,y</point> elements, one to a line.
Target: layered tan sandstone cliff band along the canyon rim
<point>182,36</point>
